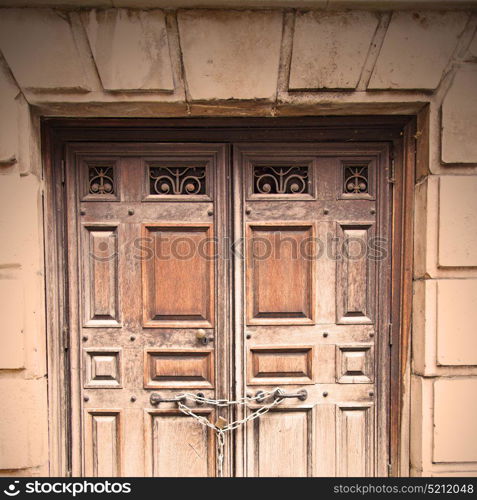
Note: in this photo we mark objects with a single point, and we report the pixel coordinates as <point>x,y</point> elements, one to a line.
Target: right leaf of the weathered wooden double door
<point>315,286</point>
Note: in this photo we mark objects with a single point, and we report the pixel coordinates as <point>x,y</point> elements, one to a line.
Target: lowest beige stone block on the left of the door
<point>24,423</point>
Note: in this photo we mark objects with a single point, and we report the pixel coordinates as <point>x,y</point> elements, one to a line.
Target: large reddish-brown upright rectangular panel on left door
<point>178,275</point>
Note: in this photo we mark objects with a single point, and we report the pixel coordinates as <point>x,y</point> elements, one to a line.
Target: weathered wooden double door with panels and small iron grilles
<point>225,270</point>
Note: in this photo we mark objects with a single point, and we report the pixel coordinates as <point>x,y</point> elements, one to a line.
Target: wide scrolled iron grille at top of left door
<point>177,180</point>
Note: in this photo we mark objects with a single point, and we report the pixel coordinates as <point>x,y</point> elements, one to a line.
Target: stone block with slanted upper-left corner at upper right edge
<point>459,118</point>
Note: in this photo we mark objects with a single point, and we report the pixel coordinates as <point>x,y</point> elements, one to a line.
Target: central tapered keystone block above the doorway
<point>230,54</point>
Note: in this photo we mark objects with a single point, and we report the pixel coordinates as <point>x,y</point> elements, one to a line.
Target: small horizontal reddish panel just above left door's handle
<point>179,368</point>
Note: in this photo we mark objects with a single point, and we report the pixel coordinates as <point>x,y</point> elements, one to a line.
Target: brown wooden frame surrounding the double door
<point>57,133</point>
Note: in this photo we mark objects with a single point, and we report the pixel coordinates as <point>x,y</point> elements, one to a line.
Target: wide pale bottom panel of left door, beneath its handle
<point>177,446</point>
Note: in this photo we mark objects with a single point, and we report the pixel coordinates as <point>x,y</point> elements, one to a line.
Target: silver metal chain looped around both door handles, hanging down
<point>220,431</point>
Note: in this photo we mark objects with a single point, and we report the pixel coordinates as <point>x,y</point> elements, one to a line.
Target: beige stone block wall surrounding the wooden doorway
<point>121,62</point>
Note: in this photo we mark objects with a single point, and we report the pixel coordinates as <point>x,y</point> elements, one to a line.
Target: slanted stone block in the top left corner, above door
<point>39,47</point>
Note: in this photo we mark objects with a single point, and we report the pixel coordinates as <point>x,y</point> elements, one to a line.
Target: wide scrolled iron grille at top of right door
<point>280,180</point>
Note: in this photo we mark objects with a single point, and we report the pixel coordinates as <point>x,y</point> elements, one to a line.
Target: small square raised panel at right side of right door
<point>354,364</point>
